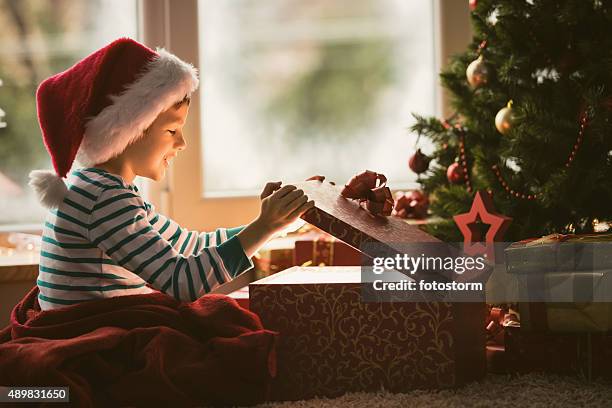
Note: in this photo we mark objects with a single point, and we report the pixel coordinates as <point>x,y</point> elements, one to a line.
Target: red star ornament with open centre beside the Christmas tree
<point>483,210</point>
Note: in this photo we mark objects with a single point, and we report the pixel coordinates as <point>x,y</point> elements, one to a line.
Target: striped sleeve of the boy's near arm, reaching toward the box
<point>186,266</point>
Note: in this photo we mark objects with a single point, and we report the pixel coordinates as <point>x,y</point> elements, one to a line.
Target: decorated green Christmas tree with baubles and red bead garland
<point>533,101</point>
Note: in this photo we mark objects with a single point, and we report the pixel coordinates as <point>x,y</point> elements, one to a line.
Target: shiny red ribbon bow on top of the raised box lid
<point>369,188</point>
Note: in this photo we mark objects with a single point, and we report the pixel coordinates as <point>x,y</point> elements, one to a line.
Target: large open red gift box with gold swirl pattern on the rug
<point>332,341</point>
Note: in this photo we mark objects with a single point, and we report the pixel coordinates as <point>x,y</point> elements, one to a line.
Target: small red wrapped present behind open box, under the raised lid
<point>325,250</point>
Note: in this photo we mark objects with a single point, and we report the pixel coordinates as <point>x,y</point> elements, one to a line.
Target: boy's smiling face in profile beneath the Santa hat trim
<point>150,155</point>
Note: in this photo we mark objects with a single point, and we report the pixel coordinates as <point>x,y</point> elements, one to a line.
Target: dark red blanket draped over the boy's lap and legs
<point>141,350</point>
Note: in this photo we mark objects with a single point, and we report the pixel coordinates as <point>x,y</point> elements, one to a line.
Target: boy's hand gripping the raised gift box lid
<point>282,207</point>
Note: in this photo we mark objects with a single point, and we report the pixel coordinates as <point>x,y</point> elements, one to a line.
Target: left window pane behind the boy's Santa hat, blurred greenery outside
<point>40,38</point>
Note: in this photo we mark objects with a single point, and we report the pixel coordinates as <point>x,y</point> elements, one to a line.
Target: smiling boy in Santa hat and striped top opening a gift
<point>120,113</point>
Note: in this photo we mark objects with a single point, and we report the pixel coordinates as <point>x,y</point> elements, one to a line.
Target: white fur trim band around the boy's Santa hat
<point>166,81</point>
